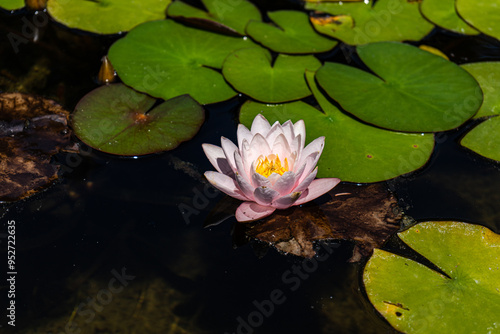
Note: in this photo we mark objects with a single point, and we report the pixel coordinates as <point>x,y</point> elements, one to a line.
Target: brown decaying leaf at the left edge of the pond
<point>32,130</point>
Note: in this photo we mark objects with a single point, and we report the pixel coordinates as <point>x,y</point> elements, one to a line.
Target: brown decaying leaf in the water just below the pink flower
<point>367,215</point>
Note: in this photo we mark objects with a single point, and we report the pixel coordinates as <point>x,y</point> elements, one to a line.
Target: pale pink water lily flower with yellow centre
<point>269,169</point>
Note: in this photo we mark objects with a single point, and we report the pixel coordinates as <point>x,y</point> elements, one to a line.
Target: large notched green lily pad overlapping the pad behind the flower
<point>412,89</point>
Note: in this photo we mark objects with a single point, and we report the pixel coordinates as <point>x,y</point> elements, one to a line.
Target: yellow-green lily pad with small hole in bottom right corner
<point>417,299</point>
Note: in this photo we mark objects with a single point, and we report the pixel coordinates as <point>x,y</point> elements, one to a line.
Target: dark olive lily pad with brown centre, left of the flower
<point>118,120</point>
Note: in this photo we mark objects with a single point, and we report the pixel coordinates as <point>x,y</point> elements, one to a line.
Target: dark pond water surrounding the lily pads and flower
<point>107,249</point>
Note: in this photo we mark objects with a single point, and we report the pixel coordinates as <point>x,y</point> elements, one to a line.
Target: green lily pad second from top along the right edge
<point>487,74</point>
